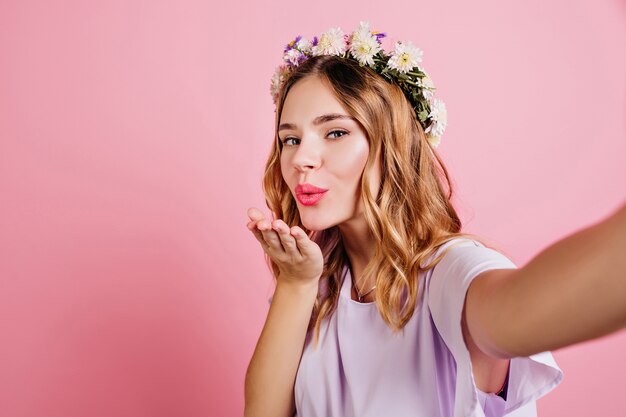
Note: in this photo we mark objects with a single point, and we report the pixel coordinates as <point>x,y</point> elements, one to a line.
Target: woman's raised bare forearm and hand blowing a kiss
<point>271,374</point>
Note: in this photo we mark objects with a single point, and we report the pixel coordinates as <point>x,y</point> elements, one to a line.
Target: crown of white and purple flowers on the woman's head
<point>399,67</point>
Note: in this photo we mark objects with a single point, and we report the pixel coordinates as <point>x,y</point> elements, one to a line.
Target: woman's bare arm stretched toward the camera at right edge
<point>573,291</point>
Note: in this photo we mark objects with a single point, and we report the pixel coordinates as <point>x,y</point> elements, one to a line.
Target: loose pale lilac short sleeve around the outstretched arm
<point>529,377</point>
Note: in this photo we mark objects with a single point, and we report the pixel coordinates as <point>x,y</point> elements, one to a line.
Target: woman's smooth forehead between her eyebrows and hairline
<point>307,99</point>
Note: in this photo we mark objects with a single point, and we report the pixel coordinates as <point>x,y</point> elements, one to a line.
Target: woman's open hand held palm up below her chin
<point>299,259</point>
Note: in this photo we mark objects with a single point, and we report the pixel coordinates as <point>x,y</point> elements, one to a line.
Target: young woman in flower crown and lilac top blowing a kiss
<point>383,307</point>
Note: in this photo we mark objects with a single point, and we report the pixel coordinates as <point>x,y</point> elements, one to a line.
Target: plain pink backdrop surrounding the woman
<point>133,136</point>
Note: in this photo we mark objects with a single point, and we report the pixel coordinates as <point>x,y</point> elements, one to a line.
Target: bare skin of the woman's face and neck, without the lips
<point>331,153</point>
